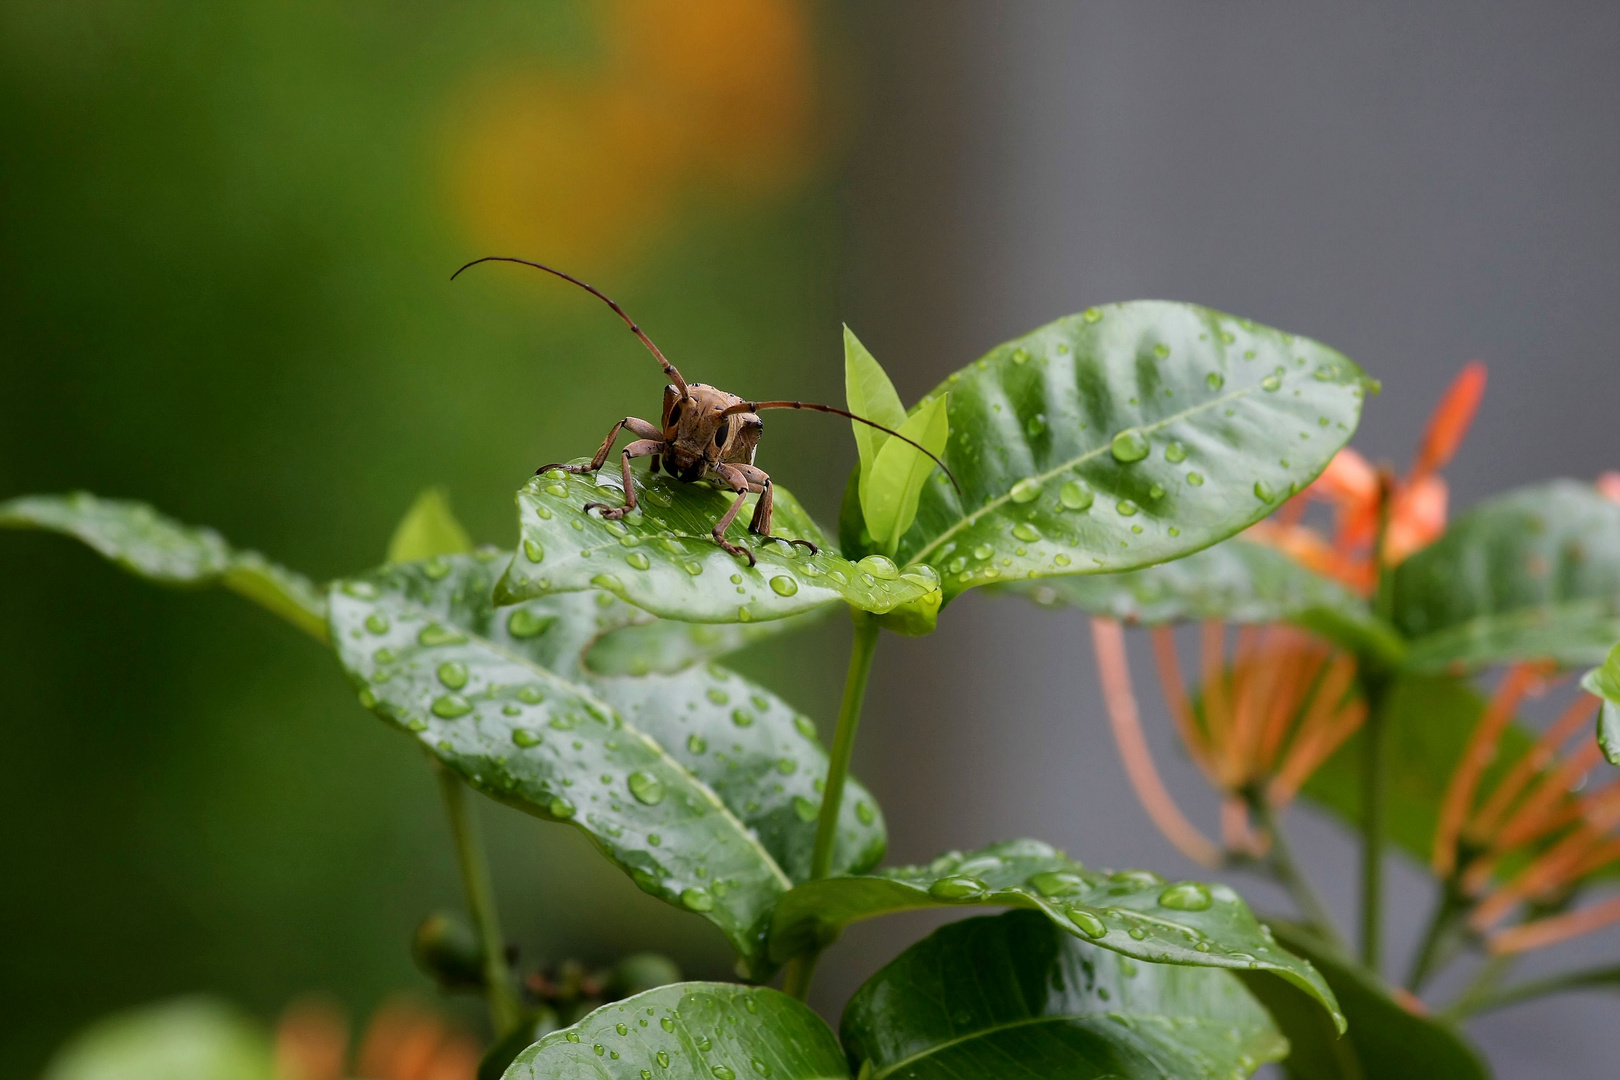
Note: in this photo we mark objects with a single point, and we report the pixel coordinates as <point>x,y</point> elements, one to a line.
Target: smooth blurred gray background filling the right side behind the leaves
<point>1418,185</point>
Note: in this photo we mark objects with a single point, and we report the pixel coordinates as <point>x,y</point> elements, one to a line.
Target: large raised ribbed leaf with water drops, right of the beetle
<point>1122,438</point>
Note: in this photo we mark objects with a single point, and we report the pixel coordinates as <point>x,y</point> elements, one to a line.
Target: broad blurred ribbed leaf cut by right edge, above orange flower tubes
<point>1533,574</point>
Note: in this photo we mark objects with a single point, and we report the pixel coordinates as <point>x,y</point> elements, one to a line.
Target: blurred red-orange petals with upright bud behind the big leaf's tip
<point>1352,487</point>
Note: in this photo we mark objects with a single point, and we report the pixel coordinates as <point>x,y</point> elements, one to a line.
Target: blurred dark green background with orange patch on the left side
<point>228,234</point>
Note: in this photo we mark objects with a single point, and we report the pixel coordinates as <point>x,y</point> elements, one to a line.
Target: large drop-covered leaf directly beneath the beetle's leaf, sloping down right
<point>699,797</point>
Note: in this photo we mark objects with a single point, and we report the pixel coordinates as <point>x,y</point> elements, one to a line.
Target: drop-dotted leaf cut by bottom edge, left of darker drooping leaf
<point>691,1032</point>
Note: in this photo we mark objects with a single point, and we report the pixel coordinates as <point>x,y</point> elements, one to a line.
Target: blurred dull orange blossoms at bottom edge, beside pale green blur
<point>404,1042</point>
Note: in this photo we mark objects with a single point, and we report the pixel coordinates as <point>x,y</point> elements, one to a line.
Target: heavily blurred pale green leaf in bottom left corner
<point>189,1039</point>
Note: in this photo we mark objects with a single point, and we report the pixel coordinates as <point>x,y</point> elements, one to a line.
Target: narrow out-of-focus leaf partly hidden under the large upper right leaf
<point>1237,582</point>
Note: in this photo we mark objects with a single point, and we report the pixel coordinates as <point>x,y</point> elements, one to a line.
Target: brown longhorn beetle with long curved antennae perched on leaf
<point>704,435</point>
